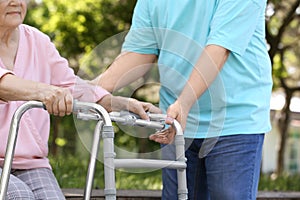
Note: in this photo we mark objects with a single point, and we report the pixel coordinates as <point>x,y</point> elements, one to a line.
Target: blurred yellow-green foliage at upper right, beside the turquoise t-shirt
<point>283,37</point>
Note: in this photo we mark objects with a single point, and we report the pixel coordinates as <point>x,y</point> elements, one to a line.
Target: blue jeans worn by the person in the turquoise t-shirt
<point>224,168</point>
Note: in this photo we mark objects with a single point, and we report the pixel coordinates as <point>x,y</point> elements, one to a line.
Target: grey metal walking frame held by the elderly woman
<point>104,130</point>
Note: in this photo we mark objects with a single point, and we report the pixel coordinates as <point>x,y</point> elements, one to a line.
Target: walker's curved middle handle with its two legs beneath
<point>105,129</point>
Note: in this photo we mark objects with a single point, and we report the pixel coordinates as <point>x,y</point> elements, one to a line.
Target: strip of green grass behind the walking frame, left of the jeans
<point>71,171</point>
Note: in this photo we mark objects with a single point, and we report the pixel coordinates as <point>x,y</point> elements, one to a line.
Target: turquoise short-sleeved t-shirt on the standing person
<point>177,31</point>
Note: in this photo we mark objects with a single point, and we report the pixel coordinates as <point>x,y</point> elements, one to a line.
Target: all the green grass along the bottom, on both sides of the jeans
<point>71,171</point>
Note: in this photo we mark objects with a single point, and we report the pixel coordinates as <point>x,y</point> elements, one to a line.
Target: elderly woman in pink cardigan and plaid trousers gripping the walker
<point>32,69</point>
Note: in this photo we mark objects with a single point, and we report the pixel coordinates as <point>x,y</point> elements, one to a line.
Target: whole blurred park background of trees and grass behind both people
<point>79,28</point>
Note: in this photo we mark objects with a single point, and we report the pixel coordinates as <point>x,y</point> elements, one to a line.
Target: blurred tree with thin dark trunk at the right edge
<point>283,37</point>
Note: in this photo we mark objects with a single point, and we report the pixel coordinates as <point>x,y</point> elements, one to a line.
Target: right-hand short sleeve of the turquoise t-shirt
<point>234,23</point>
